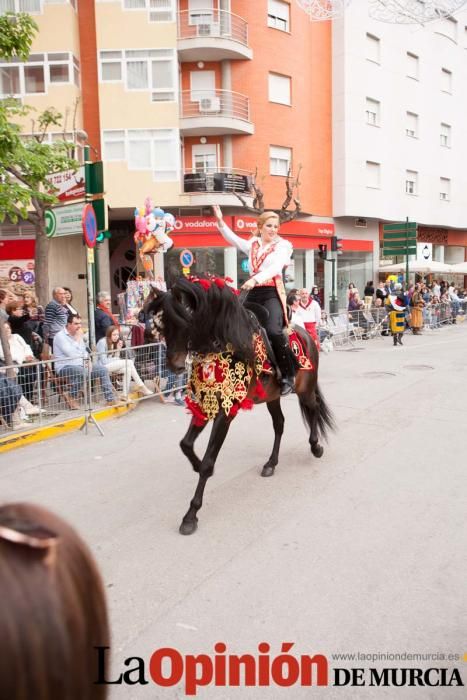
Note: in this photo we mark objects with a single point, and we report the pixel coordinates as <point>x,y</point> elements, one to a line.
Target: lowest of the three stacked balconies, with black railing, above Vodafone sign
<point>220,183</point>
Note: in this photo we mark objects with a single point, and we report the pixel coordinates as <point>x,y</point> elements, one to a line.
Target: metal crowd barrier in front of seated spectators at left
<point>40,393</point>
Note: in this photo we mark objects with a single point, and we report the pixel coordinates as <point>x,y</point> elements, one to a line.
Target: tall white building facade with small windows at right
<point>399,136</point>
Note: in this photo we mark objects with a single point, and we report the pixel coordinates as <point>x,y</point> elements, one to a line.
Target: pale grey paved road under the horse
<point>361,551</point>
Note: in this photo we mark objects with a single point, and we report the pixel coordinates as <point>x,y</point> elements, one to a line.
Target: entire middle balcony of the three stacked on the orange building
<point>221,112</point>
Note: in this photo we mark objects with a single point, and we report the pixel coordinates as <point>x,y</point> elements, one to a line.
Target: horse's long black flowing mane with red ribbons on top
<point>209,316</point>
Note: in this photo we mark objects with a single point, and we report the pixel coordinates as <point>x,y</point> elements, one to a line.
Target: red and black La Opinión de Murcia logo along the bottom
<point>167,667</point>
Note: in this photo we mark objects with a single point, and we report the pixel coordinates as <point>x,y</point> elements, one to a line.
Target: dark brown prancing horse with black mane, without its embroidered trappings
<point>204,317</point>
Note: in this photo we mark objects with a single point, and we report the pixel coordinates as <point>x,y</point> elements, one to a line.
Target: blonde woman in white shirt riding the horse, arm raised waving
<point>268,254</point>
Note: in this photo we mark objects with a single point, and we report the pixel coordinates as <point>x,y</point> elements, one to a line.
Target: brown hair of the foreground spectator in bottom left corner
<point>53,609</point>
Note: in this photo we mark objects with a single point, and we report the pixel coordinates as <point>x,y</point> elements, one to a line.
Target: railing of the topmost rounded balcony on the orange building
<point>212,23</point>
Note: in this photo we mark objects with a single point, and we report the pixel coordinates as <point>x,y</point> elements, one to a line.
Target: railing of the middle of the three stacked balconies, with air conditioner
<point>221,103</point>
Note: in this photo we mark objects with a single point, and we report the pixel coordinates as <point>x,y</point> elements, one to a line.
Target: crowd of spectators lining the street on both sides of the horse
<point>49,352</point>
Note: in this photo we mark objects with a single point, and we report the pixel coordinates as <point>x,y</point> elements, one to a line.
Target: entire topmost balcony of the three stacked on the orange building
<point>212,35</point>
